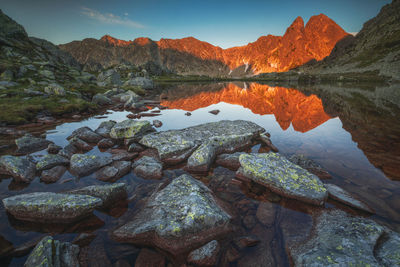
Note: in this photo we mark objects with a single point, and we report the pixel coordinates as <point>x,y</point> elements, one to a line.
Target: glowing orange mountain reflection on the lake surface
<point>288,105</point>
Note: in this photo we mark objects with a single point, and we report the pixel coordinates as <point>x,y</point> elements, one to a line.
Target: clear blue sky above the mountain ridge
<point>222,23</point>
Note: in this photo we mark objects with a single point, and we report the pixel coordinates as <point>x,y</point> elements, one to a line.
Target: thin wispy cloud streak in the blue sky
<point>109,18</point>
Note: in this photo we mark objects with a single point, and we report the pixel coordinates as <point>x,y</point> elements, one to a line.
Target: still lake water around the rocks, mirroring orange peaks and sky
<point>352,133</point>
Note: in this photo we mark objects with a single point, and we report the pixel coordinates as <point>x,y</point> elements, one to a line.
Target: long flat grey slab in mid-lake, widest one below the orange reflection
<point>176,142</point>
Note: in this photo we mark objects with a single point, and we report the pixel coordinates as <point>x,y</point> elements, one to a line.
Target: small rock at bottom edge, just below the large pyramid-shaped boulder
<point>207,255</point>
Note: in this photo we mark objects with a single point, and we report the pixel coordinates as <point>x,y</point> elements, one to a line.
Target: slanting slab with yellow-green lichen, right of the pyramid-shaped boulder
<point>282,177</point>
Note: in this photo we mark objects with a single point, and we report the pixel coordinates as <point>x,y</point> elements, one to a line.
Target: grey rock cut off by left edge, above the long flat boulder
<point>20,168</point>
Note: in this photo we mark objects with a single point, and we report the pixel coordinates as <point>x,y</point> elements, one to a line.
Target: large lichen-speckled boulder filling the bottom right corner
<point>339,239</point>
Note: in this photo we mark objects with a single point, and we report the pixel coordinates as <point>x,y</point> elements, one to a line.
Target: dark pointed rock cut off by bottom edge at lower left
<point>53,253</point>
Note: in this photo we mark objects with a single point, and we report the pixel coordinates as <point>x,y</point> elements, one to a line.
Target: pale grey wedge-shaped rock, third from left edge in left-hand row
<point>83,165</point>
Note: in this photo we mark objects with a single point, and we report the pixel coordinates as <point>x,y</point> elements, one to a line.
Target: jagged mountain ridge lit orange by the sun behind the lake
<point>189,56</point>
